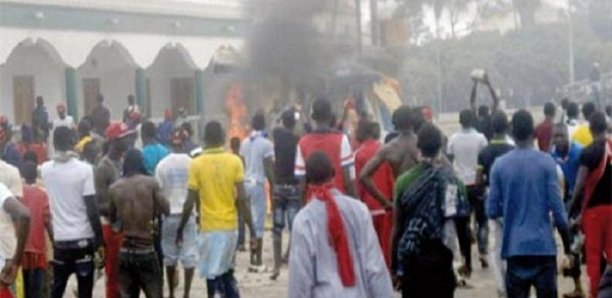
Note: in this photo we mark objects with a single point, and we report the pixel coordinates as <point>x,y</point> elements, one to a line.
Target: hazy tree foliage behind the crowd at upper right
<point>527,66</point>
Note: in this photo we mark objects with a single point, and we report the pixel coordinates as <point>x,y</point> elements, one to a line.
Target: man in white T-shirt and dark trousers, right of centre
<point>463,148</point>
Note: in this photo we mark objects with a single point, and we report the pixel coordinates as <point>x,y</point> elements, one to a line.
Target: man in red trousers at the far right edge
<point>594,182</point>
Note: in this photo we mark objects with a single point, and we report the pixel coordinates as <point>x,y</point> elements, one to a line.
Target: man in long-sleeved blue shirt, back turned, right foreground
<point>524,191</point>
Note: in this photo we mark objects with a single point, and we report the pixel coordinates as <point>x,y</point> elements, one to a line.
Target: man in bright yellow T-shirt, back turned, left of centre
<point>216,187</point>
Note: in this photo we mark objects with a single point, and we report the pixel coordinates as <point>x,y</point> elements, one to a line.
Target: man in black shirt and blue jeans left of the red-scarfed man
<point>286,199</point>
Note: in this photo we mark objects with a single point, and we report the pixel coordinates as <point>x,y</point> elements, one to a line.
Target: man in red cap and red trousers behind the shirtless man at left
<point>106,173</point>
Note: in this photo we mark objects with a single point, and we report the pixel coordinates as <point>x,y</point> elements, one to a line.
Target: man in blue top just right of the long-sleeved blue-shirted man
<point>567,155</point>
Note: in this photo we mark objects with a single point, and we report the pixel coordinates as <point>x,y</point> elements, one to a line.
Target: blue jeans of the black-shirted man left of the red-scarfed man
<point>286,205</point>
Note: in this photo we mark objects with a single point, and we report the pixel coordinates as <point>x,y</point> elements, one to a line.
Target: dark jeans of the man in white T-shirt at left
<point>73,257</point>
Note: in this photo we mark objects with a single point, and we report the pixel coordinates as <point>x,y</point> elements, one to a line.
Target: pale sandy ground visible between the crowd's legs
<point>259,285</point>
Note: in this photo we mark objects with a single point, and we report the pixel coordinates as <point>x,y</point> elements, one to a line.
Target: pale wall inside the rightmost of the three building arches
<point>168,64</point>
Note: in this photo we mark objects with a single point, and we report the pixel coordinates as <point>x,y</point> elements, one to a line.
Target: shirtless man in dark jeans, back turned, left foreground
<point>136,202</point>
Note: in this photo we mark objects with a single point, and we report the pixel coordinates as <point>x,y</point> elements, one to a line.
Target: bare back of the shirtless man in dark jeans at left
<point>136,203</point>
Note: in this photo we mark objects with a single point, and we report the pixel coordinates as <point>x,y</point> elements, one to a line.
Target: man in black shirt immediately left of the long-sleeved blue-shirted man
<point>498,146</point>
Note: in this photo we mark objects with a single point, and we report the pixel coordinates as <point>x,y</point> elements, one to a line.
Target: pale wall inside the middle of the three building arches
<point>117,79</point>
